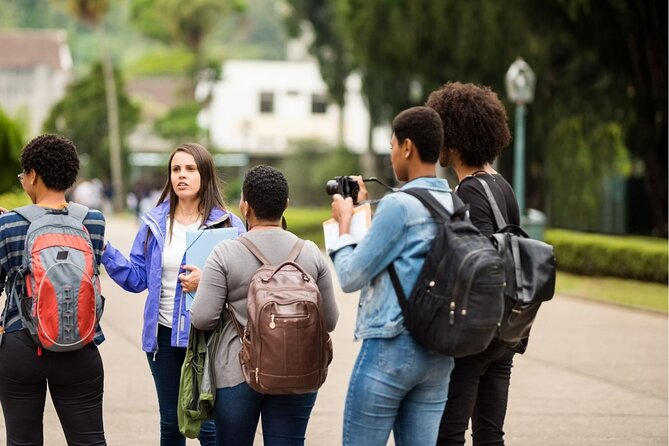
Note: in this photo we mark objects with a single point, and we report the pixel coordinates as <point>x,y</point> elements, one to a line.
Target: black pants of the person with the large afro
<point>479,390</point>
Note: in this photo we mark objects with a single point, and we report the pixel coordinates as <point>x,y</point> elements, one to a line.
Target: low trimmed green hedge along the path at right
<point>639,258</point>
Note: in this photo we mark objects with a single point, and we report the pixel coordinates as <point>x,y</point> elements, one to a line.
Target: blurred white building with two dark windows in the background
<point>262,107</point>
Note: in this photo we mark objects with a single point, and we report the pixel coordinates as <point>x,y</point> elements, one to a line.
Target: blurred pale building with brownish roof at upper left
<point>35,67</point>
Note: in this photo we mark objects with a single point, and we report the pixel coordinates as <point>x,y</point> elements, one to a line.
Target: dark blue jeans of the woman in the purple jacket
<point>165,367</point>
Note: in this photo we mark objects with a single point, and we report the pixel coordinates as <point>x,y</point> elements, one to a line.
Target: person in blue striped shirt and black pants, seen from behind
<point>75,379</point>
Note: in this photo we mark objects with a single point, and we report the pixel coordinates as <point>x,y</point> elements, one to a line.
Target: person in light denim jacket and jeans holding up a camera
<point>395,384</point>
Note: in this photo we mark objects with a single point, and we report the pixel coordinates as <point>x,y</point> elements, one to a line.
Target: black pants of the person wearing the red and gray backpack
<point>75,380</point>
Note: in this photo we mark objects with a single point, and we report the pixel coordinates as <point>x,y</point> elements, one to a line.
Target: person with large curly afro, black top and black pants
<point>476,131</point>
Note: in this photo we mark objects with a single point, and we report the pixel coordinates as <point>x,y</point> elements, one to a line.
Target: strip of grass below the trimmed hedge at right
<point>631,293</point>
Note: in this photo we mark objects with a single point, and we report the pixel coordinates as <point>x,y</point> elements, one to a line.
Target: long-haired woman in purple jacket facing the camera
<point>191,199</point>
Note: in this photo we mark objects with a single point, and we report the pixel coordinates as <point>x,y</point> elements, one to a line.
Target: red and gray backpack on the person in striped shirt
<point>57,289</point>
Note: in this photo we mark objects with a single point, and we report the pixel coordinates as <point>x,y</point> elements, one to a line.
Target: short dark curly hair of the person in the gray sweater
<point>266,190</point>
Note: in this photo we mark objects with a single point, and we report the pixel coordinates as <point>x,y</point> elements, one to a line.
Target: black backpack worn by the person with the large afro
<point>530,275</point>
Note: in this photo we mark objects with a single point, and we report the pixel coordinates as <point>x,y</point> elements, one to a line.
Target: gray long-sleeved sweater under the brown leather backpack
<point>228,271</point>
